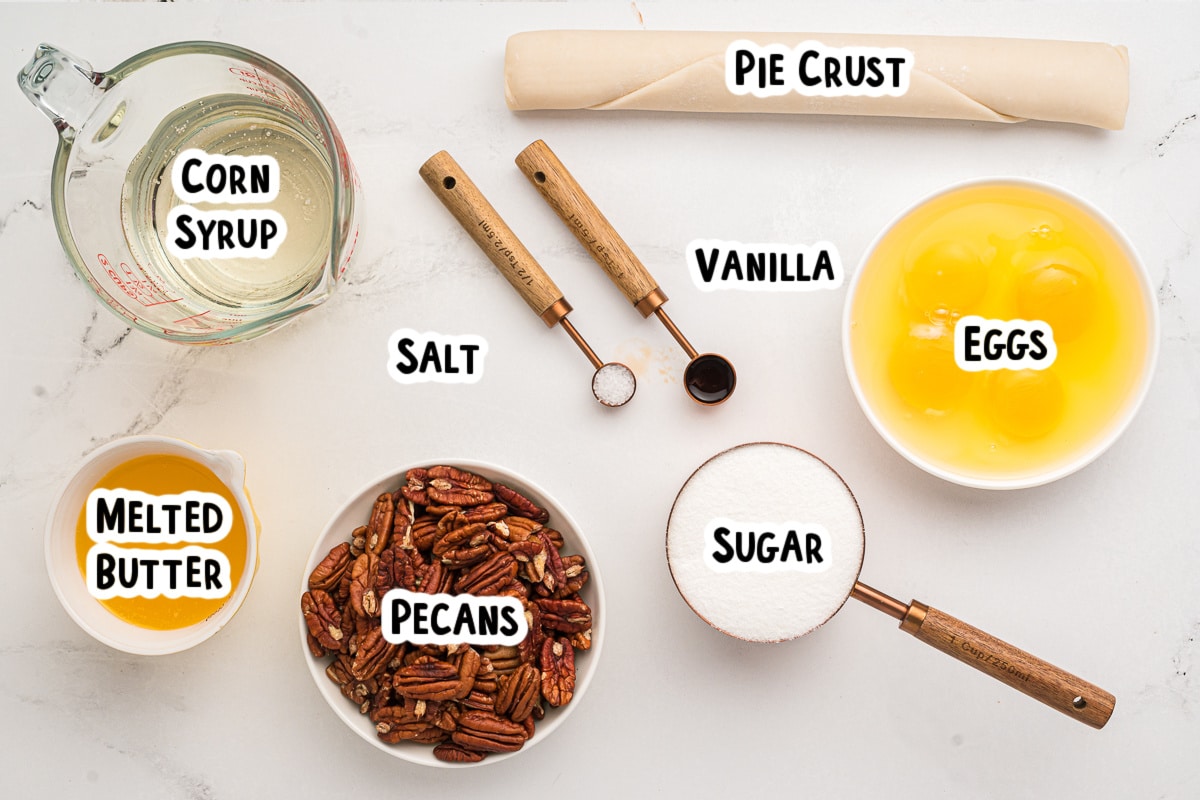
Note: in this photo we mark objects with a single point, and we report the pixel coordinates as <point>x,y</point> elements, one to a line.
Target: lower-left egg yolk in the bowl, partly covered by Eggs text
<point>923,370</point>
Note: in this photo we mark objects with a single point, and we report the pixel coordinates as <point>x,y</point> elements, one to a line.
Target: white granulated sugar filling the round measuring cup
<point>765,483</point>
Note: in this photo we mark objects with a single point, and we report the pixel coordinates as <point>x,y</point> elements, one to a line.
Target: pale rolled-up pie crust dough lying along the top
<point>953,77</point>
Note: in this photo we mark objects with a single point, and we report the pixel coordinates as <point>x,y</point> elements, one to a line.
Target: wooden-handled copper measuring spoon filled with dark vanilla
<point>710,378</point>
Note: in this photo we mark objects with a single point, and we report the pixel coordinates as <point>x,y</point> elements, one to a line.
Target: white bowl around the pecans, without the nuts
<point>358,510</point>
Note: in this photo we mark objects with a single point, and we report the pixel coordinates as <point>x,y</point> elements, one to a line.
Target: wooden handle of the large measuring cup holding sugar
<point>1029,675</point>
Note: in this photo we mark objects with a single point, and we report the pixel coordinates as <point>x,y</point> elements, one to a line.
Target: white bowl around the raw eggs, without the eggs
<point>1102,442</point>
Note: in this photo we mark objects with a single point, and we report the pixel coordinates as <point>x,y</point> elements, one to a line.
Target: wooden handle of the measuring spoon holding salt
<point>477,216</point>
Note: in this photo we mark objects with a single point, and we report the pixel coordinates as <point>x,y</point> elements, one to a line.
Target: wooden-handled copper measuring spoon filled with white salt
<point>614,384</point>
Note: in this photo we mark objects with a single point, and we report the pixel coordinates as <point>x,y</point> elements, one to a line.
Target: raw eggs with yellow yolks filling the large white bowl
<point>1001,252</point>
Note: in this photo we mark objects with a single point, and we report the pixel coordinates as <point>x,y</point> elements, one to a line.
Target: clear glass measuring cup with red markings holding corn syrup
<point>119,136</point>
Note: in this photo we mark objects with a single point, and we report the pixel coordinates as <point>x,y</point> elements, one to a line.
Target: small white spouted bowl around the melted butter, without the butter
<point>63,564</point>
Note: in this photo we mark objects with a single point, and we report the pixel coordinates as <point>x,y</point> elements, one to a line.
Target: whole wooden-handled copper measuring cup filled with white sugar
<point>753,594</point>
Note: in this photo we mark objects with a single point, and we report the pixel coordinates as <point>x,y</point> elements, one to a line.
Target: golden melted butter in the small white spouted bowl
<point>163,474</point>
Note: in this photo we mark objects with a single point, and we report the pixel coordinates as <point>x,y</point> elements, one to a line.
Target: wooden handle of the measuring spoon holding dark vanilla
<point>595,232</point>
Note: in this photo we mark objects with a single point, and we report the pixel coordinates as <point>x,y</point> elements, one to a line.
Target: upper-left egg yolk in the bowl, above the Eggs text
<point>946,279</point>
